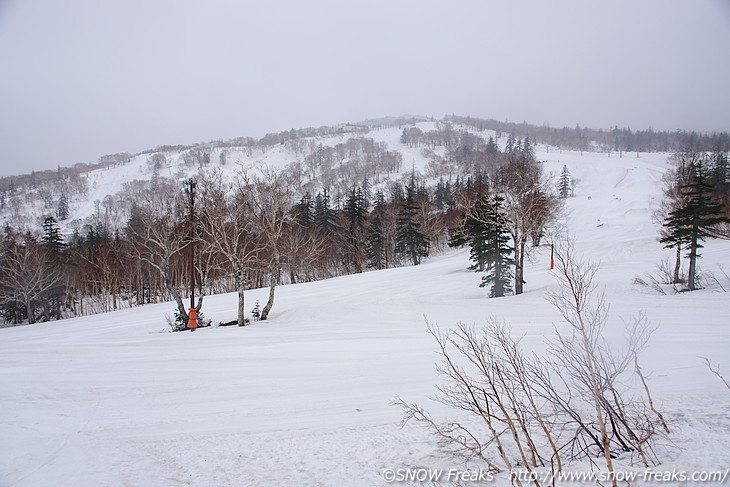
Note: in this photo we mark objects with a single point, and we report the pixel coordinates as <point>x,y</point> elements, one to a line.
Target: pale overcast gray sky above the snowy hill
<point>83,78</point>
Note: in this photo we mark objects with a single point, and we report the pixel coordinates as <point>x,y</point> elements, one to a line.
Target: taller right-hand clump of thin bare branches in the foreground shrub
<point>596,367</point>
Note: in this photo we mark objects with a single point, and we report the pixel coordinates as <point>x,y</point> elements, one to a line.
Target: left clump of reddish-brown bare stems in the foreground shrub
<point>491,383</point>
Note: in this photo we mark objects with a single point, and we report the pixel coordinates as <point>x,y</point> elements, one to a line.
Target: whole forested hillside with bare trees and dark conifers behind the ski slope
<point>290,207</point>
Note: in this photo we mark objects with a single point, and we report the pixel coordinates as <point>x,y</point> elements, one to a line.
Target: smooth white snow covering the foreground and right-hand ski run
<point>305,398</point>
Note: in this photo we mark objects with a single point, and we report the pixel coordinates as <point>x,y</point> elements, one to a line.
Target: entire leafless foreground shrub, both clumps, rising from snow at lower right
<point>542,411</point>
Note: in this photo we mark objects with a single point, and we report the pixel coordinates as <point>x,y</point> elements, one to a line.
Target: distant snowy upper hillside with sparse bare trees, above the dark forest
<point>95,194</point>
